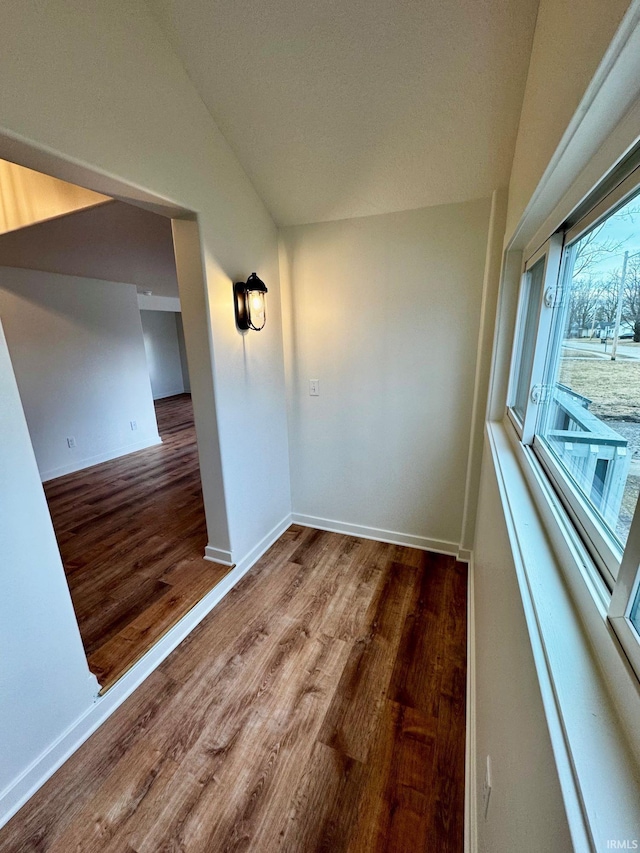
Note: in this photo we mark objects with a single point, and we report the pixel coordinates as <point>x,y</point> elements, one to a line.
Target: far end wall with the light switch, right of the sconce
<point>384,312</point>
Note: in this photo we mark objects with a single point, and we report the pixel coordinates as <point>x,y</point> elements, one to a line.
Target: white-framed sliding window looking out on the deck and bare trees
<point>575,387</point>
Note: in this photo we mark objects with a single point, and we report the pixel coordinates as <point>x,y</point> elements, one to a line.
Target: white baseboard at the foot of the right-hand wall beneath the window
<point>470,792</point>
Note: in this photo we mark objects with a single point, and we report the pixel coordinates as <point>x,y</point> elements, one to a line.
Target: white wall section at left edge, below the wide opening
<point>44,677</point>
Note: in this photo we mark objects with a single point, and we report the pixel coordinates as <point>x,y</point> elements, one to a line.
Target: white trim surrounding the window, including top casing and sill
<point>589,692</point>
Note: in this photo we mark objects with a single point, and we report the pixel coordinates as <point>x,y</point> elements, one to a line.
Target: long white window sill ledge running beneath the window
<point>590,694</point>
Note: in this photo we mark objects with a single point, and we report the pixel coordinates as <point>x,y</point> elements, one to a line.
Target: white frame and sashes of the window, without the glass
<point>620,569</point>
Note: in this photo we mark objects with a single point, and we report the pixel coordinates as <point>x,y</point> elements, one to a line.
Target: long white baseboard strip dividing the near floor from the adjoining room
<point>13,798</point>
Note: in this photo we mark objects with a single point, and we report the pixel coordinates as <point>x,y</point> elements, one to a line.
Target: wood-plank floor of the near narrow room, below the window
<point>319,707</point>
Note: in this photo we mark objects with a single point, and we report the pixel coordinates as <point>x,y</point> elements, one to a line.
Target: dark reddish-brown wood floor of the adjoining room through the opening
<point>132,535</point>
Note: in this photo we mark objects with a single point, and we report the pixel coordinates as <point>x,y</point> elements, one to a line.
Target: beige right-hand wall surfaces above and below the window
<point>526,811</point>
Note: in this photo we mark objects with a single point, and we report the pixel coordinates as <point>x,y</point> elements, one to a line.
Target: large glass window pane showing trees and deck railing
<point>590,420</point>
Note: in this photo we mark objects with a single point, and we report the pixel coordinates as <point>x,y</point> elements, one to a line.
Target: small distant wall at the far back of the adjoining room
<point>163,353</point>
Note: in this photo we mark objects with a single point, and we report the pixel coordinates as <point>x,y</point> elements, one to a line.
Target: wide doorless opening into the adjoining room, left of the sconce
<point>119,462</point>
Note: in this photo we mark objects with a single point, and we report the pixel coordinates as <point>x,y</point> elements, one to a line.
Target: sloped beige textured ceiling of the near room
<point>342,109</point>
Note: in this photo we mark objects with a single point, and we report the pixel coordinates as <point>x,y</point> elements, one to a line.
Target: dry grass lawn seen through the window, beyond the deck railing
<point>613,386</point>
